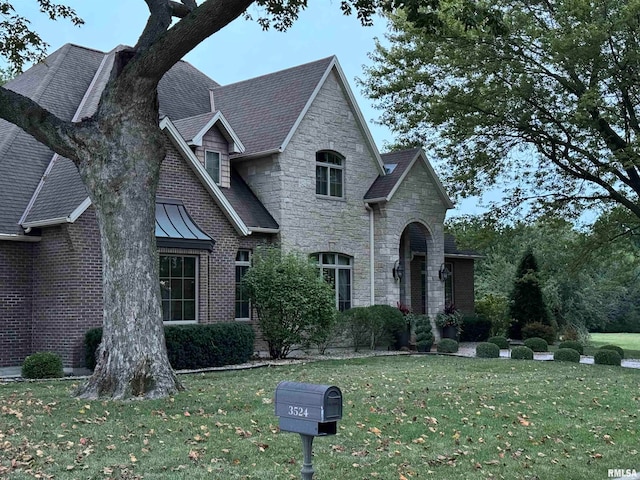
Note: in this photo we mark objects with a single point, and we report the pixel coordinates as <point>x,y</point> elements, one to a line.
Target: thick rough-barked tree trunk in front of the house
<point>121,173</point>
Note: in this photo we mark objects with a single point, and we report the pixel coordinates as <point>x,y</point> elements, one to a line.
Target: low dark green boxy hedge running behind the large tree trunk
<point>194,346</point>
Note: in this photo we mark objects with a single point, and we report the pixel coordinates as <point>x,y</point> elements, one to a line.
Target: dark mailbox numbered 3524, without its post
<point>308,408</point>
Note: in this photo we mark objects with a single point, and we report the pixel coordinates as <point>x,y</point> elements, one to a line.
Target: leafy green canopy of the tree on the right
<point>547,108</point>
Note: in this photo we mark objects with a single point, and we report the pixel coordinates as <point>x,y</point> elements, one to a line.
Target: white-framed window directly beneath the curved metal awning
<point>178,287</point>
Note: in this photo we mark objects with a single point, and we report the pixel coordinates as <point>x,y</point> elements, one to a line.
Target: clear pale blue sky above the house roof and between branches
<point>241,50</point>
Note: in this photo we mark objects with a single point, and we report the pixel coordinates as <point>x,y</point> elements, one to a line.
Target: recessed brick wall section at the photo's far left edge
<point>16,301</point>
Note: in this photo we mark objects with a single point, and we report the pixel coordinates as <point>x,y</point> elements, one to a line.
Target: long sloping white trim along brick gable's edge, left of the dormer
<point>167,125</point>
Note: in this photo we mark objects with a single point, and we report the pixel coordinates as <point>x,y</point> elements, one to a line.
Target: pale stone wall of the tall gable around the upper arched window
<point>311,223</point>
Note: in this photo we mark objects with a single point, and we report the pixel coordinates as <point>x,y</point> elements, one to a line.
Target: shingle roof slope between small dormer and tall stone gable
<point>263,110</point>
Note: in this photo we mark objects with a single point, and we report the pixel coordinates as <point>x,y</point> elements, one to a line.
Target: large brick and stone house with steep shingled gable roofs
<point>285,157</point>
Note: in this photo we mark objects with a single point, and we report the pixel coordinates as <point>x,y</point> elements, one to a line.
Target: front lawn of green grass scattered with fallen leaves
<point>407,416</point>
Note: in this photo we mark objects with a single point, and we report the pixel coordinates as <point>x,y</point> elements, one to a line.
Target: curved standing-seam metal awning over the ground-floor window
<point>176,229</point>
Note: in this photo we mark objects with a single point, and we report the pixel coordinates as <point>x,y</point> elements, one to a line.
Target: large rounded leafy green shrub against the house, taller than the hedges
<point>302,312</point>
